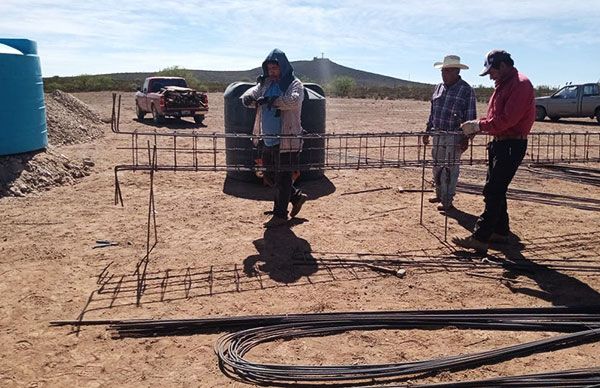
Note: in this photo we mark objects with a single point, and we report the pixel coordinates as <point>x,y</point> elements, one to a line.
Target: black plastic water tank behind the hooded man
<point>239,119</point>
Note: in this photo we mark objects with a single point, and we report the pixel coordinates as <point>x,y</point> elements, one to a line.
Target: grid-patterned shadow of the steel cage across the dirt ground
<point>572,255</point>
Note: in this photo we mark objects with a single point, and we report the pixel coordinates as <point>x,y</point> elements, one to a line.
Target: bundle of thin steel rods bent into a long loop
<point>232,348</point>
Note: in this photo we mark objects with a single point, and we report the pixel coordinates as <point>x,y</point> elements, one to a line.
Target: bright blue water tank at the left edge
<point>22,108</point>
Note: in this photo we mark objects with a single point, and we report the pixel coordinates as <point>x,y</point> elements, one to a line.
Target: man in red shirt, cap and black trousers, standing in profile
<point>510,116</point>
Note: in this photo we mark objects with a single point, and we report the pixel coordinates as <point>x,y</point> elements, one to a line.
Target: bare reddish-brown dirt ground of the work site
<point>50,271</point>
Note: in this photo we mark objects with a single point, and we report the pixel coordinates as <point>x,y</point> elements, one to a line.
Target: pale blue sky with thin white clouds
<point>551,41</point>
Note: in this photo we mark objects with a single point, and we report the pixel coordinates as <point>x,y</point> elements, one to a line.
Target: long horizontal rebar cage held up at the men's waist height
<point>191,150</point>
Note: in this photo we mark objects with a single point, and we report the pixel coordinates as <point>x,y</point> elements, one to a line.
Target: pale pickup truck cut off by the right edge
<point>570,101</point>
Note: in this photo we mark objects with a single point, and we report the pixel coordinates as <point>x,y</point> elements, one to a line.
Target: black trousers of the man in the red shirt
<point>504,158</point>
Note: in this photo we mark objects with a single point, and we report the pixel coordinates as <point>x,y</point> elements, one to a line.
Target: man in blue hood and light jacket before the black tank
<point>278,98</point>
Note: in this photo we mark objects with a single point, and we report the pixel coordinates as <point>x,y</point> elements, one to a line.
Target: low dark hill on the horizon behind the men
<point>319,70</point>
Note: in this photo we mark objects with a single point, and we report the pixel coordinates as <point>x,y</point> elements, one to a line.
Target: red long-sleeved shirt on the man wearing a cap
<point>511,110</point>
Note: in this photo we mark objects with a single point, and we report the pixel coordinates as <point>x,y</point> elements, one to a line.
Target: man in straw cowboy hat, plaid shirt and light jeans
<point>452,103</point>
